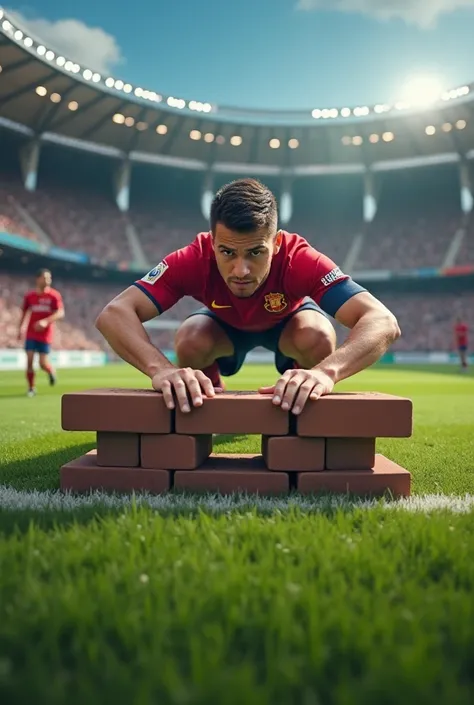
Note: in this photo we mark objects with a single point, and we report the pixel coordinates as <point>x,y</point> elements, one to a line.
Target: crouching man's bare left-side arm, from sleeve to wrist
<point>121,324</point>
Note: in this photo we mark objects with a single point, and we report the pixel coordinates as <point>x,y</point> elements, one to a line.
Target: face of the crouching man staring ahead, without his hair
<point>244,259</point>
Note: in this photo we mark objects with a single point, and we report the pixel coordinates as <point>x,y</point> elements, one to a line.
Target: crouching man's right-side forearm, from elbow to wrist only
<point>366,343</point>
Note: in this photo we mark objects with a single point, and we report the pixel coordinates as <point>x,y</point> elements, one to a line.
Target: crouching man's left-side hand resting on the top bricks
<point>183,381</point>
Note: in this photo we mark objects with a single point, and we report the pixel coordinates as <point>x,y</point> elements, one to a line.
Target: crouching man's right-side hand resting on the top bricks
<point>295,387</point>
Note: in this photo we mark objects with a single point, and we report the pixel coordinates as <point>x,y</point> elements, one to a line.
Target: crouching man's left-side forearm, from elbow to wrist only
<point>126,335</point>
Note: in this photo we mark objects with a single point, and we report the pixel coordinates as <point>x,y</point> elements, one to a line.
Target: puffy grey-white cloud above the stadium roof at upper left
<point>89,46</point>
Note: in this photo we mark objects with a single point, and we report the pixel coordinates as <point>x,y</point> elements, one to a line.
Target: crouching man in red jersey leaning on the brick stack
<point>259,286</point>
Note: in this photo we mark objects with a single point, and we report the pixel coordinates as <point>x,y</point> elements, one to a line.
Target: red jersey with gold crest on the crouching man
<point>298,271</point>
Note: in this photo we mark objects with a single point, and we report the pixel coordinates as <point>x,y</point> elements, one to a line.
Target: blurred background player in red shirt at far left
<point>44,306</point>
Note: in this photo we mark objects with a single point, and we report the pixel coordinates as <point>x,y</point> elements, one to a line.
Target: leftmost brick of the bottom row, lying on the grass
<point>83,474</point>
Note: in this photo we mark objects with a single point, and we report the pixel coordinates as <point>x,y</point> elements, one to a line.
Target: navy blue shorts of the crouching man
<point>245,341</point>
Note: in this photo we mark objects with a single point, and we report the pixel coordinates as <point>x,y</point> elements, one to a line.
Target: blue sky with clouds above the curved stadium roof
<point>265,53</point>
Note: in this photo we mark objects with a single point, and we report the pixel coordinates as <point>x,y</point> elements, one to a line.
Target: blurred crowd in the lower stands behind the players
<point>426,321</point>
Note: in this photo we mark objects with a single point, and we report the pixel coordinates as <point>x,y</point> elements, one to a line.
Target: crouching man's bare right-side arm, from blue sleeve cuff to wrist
<point>373,330</point>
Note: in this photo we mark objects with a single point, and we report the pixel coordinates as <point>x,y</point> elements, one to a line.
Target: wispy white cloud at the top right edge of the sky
<point>423,13</point>
